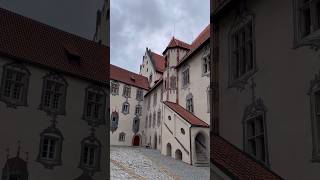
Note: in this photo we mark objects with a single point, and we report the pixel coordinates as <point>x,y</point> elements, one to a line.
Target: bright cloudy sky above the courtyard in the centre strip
<point>137,24</point>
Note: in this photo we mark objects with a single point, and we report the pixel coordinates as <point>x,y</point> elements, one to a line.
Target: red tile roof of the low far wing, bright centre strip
<point>130,78</point>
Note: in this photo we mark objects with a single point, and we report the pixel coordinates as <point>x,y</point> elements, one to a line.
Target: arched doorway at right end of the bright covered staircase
<point>201,148</point>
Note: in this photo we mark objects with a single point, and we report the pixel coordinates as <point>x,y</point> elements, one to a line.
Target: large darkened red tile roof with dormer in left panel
<point>30,41</point>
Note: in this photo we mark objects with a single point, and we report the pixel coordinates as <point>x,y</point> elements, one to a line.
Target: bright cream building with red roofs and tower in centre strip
<point>175,109</point>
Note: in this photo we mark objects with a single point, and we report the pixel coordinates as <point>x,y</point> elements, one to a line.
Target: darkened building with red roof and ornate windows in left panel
<point>53,98</point>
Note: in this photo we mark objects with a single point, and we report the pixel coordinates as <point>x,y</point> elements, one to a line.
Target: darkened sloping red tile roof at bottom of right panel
<point>236,163</point>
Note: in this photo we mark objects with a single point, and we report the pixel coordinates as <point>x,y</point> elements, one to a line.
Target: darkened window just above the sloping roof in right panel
<point>255,131</point>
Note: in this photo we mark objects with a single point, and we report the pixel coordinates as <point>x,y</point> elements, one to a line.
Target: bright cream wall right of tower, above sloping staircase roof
<point>198,87</point>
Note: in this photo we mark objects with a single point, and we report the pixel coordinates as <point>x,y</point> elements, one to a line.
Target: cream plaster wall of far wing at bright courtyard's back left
<point>125,120</point>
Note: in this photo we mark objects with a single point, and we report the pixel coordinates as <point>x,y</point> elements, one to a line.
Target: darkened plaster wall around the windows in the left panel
<point>26,124</point>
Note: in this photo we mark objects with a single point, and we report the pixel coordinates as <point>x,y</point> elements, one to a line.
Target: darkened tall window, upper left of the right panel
<point>242,48</point>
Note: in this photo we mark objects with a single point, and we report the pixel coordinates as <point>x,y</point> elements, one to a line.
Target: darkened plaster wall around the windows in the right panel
<point>283,80</point>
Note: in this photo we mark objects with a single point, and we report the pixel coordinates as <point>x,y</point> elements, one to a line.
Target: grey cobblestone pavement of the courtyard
<point>143,164</point>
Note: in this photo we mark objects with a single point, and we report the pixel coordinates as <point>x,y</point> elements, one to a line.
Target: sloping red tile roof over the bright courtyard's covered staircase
<point>189,117</point>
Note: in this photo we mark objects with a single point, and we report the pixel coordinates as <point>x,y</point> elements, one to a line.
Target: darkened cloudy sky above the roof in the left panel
<point>74,16</point>
